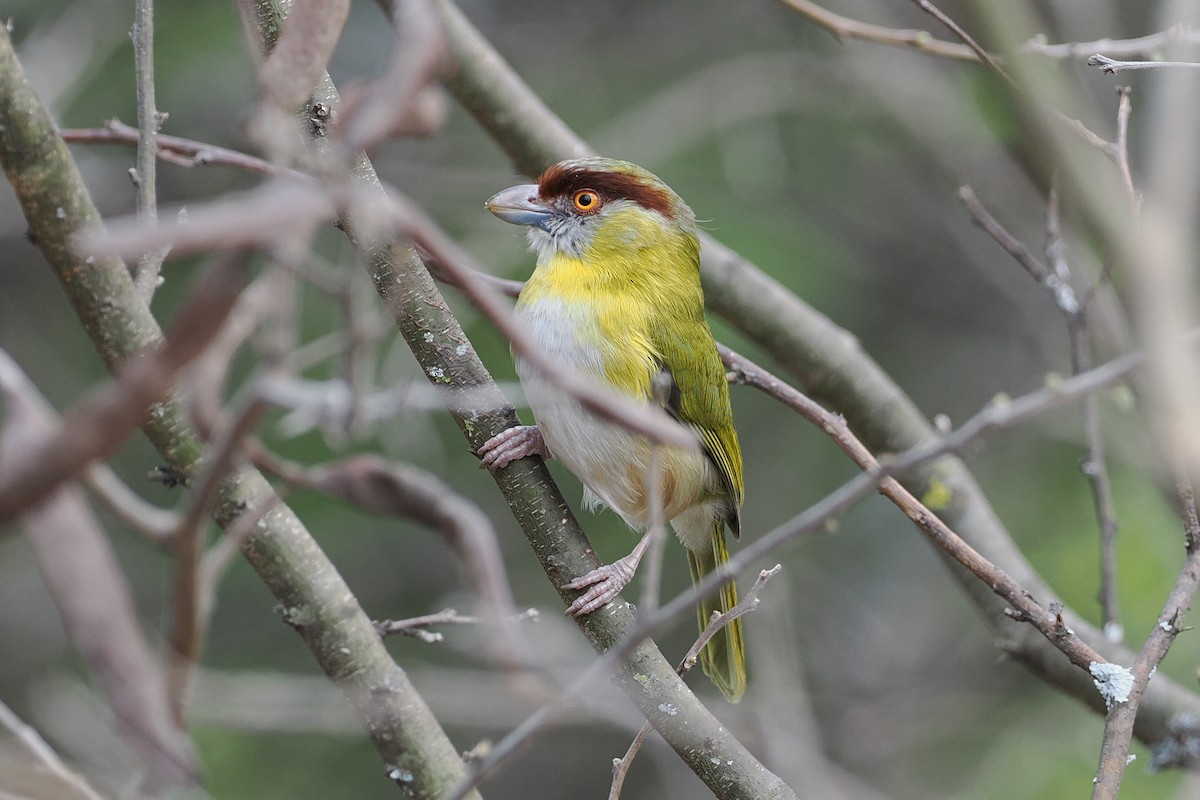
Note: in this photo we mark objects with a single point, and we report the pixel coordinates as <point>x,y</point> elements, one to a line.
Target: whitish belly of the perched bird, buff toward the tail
<point>609,460</point>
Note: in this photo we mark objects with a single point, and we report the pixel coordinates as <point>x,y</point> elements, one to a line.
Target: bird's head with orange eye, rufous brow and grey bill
<point>597,208</point>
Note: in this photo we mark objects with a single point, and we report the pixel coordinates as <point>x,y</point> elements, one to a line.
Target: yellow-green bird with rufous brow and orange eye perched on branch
<point>616,296</point>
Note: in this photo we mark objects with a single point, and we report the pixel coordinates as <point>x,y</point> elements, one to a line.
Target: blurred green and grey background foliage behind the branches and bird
<point>833,167</point>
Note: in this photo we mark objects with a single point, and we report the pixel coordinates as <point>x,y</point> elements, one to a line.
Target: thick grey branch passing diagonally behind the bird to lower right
<point>829,362</point>
